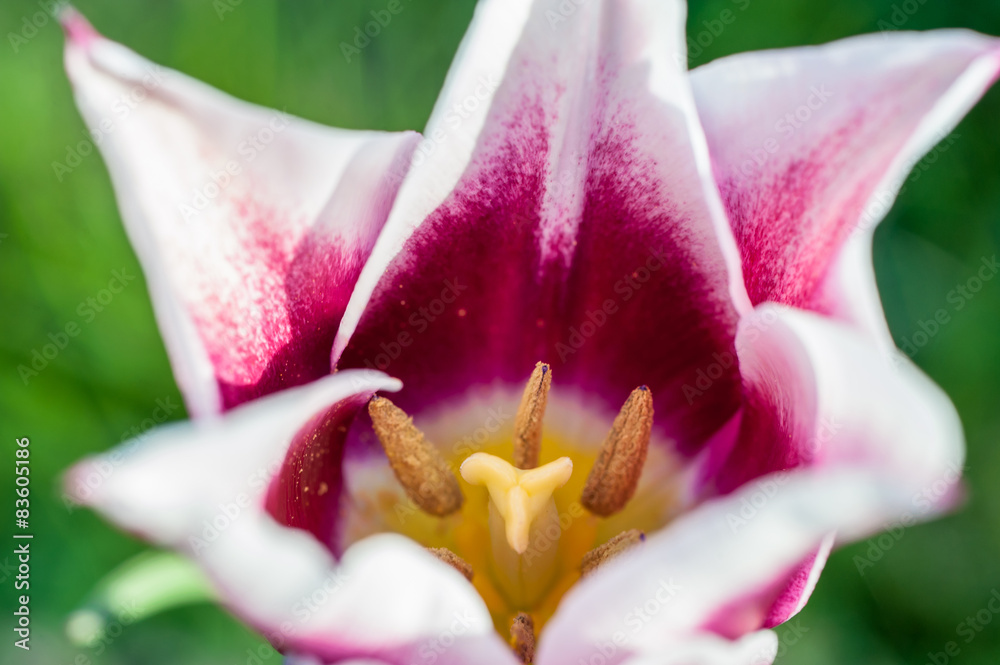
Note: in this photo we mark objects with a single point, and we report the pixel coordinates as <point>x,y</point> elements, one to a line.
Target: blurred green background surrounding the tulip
<point>60,240</point>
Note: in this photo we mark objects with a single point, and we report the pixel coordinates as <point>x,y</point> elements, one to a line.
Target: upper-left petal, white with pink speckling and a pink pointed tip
<point>223,201</point>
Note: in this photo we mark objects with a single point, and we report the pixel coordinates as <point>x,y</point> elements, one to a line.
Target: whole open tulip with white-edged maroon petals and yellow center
<point>594,370</point>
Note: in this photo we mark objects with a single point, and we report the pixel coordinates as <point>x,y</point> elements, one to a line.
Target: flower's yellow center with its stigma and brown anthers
<point>523,533</point>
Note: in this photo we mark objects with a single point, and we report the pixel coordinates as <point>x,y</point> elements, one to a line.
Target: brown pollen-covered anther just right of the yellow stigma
<point>613,479</point>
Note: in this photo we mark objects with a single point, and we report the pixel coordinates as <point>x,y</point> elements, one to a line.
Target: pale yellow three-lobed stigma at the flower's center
<point>519,495</point>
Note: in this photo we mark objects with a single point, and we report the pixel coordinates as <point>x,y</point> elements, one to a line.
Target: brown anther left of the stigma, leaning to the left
<point>418,465</point>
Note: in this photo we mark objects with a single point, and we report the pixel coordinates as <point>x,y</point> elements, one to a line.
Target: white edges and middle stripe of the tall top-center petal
<point>510,47</point>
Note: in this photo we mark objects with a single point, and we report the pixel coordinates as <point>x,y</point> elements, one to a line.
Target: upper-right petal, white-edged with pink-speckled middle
<point>811,146</point>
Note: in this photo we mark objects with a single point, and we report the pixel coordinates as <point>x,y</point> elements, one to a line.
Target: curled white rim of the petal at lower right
<point>718,568</point>
